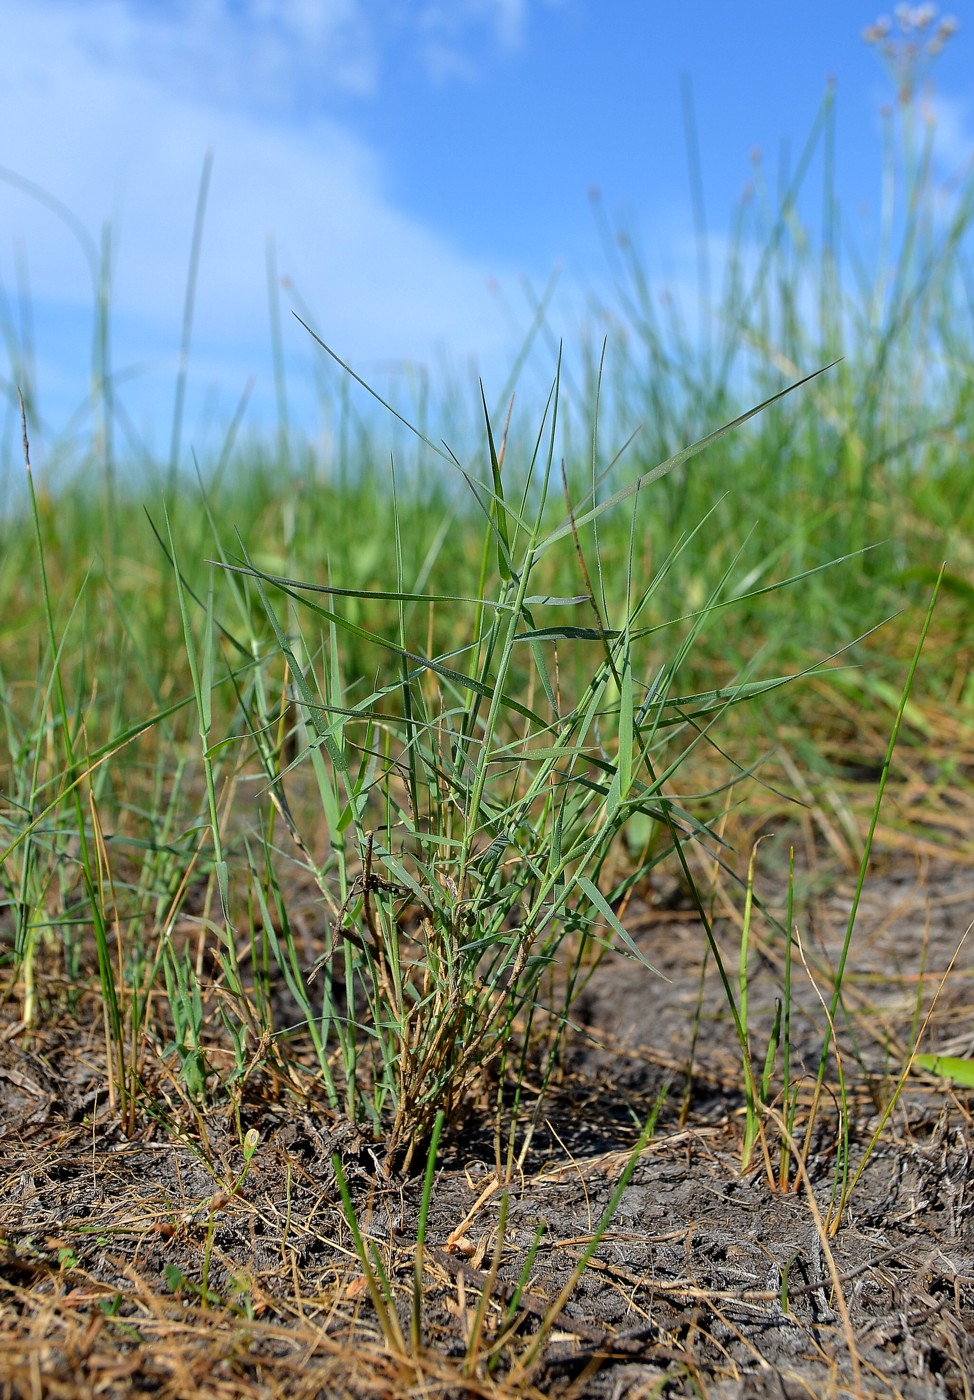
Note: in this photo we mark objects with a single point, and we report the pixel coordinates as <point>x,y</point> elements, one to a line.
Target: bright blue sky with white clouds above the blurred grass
<point>414,163</point>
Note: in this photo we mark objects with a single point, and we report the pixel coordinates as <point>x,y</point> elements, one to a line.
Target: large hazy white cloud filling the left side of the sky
<point>111,110</point>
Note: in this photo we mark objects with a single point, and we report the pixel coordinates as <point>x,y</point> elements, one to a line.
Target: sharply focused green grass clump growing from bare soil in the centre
<point>470,803</point>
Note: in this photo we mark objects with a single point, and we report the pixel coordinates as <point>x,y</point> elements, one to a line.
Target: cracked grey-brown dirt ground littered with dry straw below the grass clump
<point>131,1266</point>
